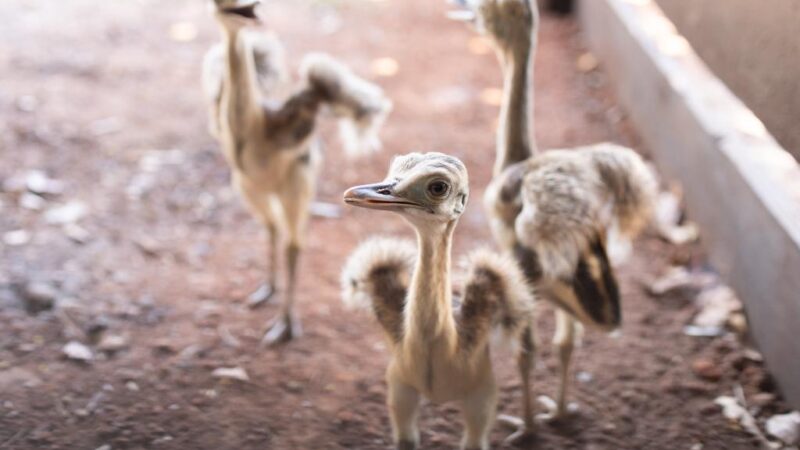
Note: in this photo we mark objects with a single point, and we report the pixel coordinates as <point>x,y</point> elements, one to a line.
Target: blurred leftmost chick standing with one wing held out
<point>268,138</point>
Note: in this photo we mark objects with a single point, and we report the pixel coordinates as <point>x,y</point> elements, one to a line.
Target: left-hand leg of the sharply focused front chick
<point>403,403</point>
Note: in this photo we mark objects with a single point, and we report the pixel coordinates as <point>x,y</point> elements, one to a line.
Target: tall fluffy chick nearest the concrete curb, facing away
<point>558,211</point>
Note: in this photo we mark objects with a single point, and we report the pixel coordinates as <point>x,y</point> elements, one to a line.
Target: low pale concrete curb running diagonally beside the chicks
<point>740,185</point>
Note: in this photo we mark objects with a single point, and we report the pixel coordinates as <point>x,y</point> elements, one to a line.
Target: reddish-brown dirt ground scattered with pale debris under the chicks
<point>105,96</point>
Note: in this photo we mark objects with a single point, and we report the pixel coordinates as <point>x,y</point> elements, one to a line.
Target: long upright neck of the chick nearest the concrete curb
<point>514,136</point>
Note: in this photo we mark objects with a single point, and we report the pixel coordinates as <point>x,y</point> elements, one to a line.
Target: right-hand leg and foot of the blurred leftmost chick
<point>295,196</point>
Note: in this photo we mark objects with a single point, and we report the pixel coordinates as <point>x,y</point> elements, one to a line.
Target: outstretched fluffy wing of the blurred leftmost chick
<point>360,105</point>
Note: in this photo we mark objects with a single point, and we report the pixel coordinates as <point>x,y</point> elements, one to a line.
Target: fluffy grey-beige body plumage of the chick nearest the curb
<point>557,208</point>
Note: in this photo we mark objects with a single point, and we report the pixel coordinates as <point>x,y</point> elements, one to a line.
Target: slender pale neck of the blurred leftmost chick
<point>240,97</point>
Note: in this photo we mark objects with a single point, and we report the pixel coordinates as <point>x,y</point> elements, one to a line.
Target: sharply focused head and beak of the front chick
<point>425,188</point>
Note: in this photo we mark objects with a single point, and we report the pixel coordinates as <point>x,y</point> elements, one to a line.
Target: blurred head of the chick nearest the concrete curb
<point>510,24</point>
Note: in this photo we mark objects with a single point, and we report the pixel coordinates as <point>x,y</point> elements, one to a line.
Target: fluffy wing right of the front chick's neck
<point>496,296</point>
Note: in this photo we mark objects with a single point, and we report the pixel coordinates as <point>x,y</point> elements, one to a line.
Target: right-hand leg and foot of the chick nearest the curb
<point>564,339</point>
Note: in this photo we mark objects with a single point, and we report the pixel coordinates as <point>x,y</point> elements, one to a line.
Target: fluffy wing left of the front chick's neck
<point>376,277</point>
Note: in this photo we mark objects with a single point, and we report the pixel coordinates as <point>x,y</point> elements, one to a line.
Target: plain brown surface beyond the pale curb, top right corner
<point>754,47</point>
